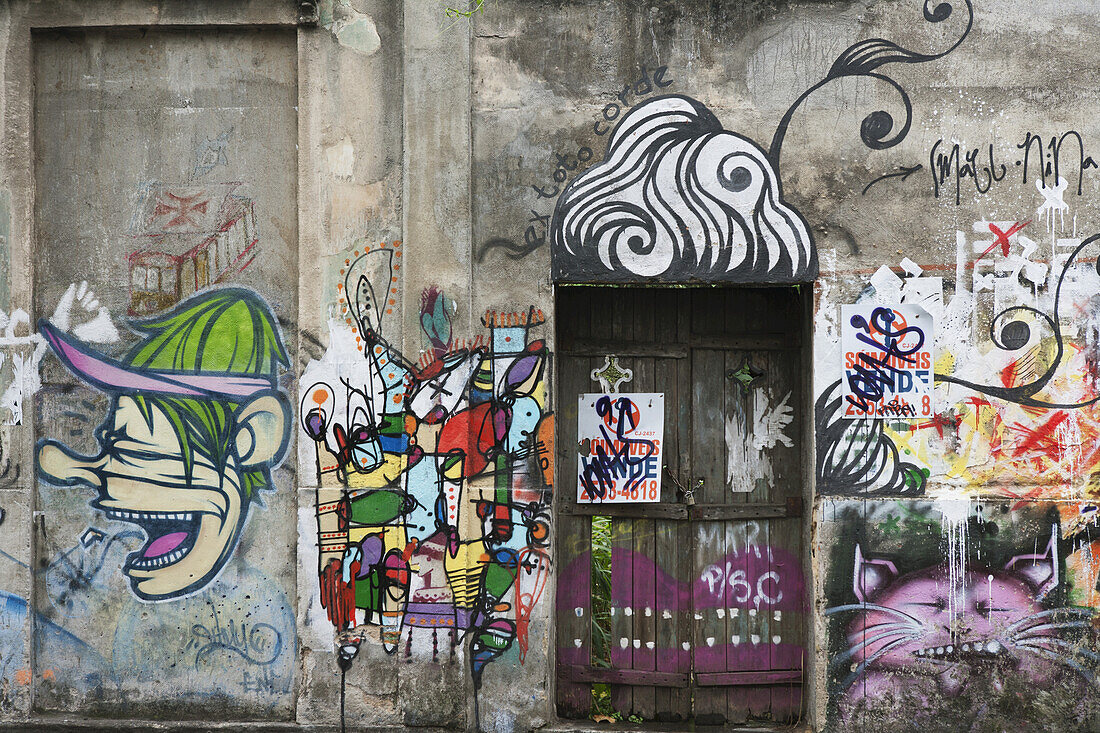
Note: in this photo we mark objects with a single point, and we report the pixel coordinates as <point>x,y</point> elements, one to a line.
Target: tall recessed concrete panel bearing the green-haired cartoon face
<point>167,170</point>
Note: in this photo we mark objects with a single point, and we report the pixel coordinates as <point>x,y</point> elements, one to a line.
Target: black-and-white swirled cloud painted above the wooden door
<point>677,198</point>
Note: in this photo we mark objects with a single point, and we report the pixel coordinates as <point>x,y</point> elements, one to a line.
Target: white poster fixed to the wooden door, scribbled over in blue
<point>620,444</point>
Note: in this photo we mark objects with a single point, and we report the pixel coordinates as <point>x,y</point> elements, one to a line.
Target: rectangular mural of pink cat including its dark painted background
<point>950,611</point>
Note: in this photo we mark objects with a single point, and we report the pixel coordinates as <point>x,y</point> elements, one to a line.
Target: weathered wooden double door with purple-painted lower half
<point>691,608</point>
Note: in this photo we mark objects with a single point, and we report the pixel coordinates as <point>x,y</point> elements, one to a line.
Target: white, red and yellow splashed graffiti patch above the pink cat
<point>1017,401</point>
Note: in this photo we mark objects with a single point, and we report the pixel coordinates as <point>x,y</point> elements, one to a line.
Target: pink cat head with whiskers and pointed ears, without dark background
<point>923,633</point>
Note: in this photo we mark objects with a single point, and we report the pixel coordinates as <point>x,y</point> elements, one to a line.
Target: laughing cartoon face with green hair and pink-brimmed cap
<point>194,430</point>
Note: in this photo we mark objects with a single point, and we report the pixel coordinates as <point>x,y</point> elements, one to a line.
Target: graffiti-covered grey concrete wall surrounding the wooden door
<point>376,196</point>
